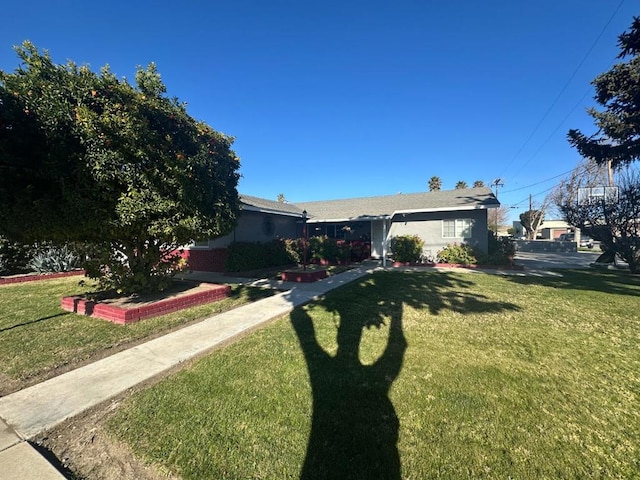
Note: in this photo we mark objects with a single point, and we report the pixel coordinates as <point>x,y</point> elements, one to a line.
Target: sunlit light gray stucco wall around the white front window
<point>428,226</point>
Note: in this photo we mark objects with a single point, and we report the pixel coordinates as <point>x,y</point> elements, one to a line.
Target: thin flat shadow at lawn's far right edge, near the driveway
<point>606,281</point>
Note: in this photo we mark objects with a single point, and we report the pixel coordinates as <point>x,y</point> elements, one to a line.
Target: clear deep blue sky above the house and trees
<point>340,99</point>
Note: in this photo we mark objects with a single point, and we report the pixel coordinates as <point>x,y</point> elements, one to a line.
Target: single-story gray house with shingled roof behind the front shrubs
<point>439,218</point>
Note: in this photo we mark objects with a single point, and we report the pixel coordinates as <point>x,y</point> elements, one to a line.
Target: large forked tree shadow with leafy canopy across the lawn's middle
<point>354,426</point>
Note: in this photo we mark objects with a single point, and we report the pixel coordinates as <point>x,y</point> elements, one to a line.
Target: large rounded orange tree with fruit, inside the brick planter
<point>88,157</point>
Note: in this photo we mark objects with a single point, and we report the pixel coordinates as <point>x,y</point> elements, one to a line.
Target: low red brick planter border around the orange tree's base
<point>130,312</point>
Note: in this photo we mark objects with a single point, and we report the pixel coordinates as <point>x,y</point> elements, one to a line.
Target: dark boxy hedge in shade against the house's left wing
<point>247,256</point>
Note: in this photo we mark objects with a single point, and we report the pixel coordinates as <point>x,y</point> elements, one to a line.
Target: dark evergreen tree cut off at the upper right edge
<point>617,140</point>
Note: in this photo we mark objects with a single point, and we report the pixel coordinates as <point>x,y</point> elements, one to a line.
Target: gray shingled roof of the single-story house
<point>384,206</point>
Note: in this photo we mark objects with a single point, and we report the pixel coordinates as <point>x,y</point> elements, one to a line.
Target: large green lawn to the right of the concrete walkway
<point>414,376</point>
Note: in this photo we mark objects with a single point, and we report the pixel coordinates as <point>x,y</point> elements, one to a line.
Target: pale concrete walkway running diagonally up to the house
<point>28,412</point>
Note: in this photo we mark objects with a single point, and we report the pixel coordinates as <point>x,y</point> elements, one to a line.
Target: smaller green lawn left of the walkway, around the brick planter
<point>37,336</point>
